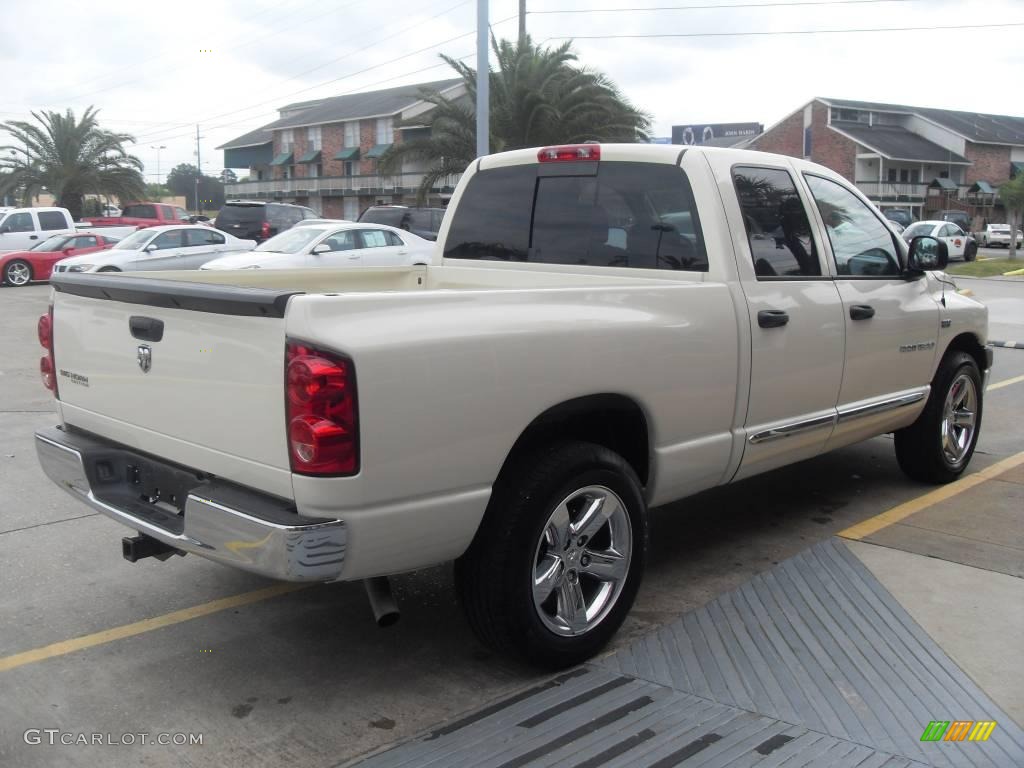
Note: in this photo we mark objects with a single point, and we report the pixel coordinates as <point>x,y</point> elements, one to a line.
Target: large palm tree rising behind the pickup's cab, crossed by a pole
<point>539,97</point>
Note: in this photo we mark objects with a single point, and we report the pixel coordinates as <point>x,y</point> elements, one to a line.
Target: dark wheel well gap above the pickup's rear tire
<point>610,420</point>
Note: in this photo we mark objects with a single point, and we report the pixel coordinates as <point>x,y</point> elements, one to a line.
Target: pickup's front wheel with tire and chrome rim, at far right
<point>940,445</point>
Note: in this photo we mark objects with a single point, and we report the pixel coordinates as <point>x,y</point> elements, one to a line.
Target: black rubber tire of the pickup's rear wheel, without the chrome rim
<point>495,577</point>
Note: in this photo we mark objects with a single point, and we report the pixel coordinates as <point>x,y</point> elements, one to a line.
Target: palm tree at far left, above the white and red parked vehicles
<point>70,158</point>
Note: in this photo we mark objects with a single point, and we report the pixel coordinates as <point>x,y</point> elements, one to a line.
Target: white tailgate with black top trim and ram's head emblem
<point>192,373</point>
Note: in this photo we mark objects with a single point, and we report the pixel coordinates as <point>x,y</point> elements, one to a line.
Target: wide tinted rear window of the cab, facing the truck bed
<point>630,215</point>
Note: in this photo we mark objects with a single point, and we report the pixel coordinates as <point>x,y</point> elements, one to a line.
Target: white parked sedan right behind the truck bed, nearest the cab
<point>333,245</point>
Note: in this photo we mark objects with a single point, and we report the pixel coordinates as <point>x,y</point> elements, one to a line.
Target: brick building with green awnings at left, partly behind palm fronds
<point>326,153</point>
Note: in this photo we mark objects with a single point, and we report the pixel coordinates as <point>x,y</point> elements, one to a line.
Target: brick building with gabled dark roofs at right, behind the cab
<point>922,159</point>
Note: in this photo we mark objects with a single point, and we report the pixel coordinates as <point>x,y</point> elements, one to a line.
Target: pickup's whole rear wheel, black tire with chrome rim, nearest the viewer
<point>558,562</point>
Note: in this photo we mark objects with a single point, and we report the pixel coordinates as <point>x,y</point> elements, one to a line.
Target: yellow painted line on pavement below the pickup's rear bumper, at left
<point>147,625</point>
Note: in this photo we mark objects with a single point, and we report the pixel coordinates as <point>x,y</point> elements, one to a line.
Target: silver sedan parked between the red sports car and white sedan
<point>176,247</point>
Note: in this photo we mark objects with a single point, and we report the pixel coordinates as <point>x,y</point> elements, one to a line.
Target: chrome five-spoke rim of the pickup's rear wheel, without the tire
<point>582,562</point>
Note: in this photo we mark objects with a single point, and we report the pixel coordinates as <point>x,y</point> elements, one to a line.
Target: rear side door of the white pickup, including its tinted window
<point>796,319</point>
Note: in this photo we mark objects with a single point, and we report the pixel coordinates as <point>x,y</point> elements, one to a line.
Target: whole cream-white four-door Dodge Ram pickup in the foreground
<point>612,328</point>
